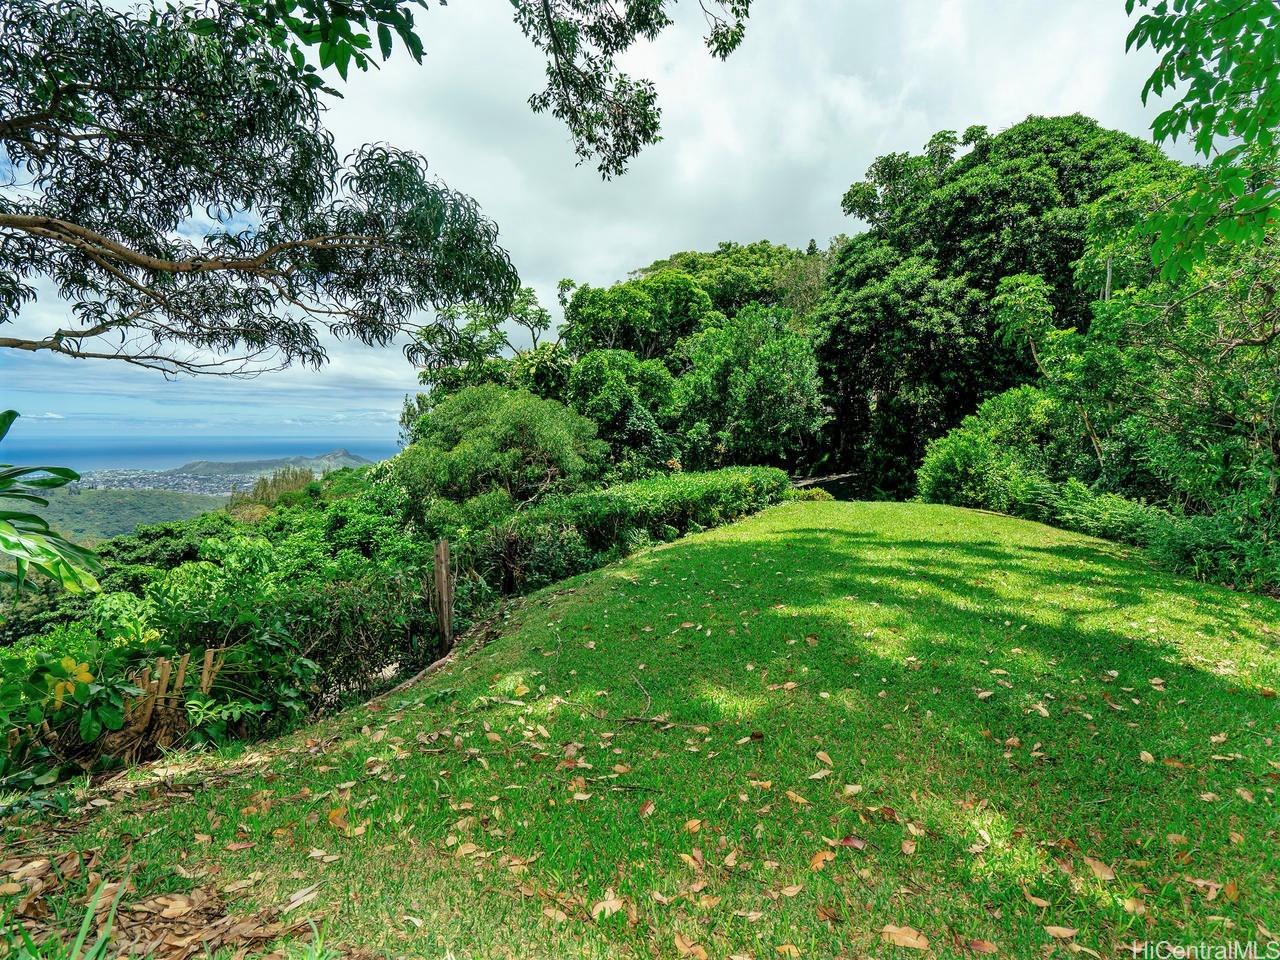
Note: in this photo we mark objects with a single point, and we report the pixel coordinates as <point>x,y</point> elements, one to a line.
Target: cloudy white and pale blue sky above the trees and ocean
<point>761,147</point>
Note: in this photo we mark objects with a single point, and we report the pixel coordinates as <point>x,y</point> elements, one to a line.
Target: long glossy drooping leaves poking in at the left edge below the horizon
<point>26,538</point>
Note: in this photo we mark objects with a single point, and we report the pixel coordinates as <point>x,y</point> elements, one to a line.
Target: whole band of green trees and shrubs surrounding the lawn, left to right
<point>999,337</point>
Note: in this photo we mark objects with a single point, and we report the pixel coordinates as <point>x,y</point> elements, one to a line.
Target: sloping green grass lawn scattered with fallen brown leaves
<point>778,739</point>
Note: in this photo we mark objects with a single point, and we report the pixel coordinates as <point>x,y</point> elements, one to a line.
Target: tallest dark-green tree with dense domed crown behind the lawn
<point>908,339</point>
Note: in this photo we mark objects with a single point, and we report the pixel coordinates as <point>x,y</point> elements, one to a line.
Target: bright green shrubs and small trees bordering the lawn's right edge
<point>1158,423</point>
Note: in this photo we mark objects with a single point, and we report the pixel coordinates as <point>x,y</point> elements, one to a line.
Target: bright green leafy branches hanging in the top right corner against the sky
<point>1222,60</point>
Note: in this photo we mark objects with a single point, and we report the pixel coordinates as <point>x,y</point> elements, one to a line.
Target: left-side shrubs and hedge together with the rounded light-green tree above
<point>324,597</point>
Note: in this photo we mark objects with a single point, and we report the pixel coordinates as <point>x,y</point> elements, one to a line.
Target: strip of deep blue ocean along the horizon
<point>167,452</point>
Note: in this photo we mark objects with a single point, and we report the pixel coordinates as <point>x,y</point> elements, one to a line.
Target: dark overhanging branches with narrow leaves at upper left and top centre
<point>170,177</point>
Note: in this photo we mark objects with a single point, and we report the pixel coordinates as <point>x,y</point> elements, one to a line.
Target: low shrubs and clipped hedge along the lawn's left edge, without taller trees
<point>321,604</point>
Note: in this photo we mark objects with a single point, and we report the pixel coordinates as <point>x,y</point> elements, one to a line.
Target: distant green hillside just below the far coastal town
<point>94,515</point>
